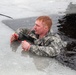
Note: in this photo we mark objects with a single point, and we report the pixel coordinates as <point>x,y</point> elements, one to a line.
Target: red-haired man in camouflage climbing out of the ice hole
<point>44,42</point>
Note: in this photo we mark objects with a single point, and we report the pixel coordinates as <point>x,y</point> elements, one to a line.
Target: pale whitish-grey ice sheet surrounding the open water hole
<point>14,61</point>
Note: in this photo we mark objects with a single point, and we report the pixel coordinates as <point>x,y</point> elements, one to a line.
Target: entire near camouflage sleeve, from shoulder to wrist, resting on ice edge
<point>51,50</point>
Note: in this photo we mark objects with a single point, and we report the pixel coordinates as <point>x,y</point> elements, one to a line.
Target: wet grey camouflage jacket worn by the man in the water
<point>49,45</point>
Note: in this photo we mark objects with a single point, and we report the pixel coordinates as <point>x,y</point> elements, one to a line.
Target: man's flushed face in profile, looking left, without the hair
<point>39,28</point>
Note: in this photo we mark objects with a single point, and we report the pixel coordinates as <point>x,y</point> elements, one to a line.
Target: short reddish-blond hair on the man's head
<point>46,20</point>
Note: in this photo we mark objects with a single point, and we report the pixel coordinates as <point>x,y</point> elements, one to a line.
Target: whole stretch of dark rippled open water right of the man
<point>67,28</point>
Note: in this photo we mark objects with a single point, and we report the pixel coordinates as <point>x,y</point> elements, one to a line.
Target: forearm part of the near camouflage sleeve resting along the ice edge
<point>44,51</point>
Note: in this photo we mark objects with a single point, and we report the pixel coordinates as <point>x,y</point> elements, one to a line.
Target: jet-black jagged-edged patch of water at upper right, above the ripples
<point>68,25</point>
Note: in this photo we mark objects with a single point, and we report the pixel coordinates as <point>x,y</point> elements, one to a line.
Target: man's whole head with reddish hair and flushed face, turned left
<point>42,25</point>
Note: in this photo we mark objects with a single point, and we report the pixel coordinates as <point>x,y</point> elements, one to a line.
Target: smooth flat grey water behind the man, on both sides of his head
<point>29,22</point>
